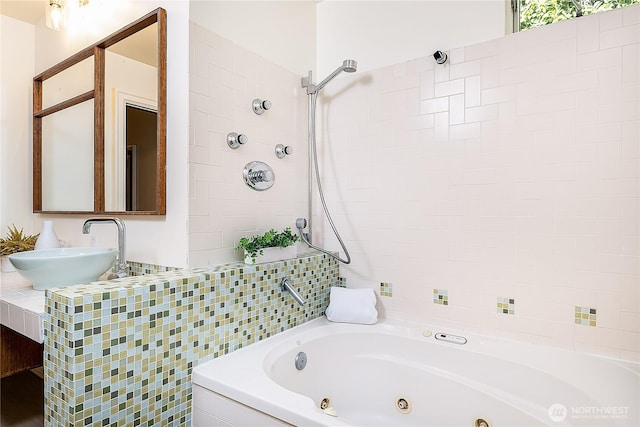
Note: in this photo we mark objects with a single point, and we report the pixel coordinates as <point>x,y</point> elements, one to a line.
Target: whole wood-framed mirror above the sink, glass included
<point>99,125</point>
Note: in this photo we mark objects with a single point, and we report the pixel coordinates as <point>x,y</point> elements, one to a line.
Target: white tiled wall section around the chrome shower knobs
<point>224,80</point>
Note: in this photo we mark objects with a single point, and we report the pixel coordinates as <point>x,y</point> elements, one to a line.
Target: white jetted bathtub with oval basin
<point>400,374</point>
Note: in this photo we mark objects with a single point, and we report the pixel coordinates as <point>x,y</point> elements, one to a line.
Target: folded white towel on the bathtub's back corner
<point>352,306</point>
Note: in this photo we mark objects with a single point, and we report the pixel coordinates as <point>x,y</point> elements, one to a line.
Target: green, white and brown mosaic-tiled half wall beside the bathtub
<point>121,352</point>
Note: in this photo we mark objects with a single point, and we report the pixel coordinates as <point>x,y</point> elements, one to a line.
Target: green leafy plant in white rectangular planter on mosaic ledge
<point>271,246</point>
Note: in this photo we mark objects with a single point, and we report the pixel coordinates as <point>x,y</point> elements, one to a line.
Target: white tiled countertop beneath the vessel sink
<point>21,306</point>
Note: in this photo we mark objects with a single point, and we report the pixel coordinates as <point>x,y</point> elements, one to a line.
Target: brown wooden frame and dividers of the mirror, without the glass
<point>97,50</point>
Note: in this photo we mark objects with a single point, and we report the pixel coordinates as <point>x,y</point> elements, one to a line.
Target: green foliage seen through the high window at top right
<point>535,13</point>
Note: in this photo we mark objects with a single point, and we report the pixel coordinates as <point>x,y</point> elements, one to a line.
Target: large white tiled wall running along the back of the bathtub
<point>511,171</point>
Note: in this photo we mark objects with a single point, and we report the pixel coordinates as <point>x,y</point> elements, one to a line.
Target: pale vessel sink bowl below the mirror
<point>51,268</point>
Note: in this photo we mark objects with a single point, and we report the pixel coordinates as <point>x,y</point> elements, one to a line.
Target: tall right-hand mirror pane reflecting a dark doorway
<point>131,82</point>
